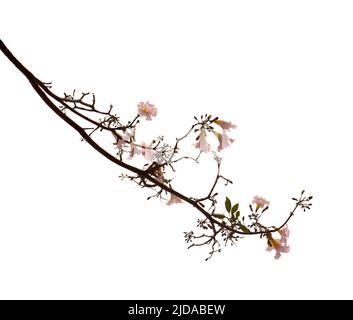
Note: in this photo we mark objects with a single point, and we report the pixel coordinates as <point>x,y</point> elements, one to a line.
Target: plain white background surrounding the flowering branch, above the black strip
<point>281,70</point>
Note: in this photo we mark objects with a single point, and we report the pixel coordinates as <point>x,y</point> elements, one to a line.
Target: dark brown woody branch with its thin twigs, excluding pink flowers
<point>77,106</point>
